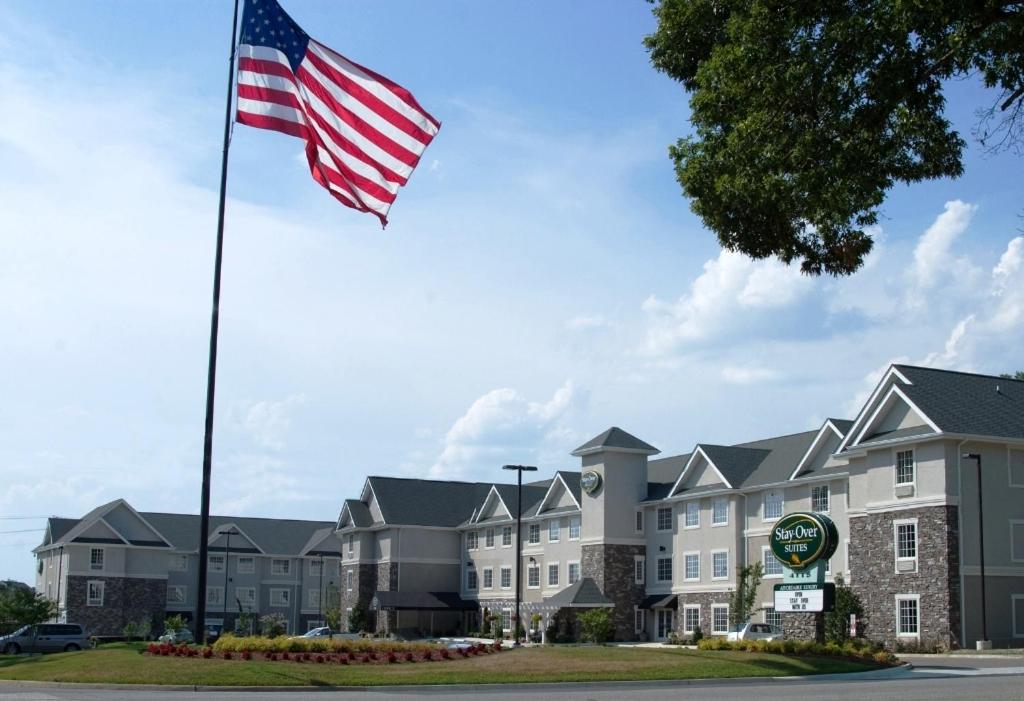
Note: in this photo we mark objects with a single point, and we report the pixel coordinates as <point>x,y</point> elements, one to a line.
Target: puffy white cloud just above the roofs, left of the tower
<point>503,427</point>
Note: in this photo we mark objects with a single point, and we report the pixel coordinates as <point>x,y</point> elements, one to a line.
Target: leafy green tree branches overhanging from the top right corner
<point>807,112</point>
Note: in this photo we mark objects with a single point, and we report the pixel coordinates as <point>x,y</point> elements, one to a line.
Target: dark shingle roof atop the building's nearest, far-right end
<point>961,403</point>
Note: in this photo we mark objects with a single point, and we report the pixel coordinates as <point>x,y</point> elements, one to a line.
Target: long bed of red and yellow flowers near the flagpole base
<point>320,652</point>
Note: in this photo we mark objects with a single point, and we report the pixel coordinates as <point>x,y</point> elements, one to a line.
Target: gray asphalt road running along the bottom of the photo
<point>930,680</point>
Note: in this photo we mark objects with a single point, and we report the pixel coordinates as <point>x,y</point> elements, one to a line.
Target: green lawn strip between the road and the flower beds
<point>124,665</point>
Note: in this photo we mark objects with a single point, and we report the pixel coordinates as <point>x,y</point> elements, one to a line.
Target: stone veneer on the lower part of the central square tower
<point>612,568</point>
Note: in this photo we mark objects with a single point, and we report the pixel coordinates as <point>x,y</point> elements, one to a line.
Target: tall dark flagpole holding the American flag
<point>211,380</point>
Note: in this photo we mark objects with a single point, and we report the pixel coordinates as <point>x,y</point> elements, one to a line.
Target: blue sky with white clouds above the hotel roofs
<point>542,278</point>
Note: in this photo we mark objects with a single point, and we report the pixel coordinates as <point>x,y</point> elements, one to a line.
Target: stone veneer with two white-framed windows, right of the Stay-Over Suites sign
<point>874,577</point>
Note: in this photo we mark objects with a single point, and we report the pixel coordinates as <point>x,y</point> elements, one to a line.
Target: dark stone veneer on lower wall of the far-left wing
<point>124,600</point>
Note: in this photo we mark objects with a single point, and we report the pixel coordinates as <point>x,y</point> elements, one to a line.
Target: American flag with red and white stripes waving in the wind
<point>364,134</point>
